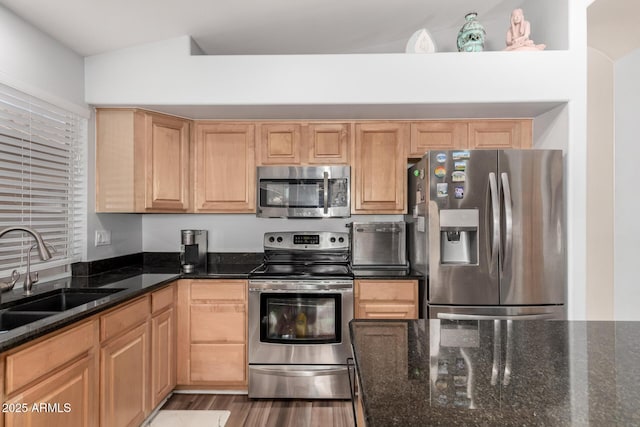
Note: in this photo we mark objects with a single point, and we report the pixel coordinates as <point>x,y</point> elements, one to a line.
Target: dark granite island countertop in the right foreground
<point>498,373</point>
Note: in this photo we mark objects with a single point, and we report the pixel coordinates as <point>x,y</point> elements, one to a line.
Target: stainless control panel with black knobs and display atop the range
<point>312,240</point>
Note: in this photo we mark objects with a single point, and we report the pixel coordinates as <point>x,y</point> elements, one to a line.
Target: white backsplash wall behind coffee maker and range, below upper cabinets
<point>235,233</point>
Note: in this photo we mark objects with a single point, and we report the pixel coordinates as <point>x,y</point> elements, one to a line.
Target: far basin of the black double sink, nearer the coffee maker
<point>61,300</point>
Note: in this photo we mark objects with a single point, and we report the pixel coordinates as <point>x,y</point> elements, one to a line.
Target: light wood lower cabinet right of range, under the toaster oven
<point>386,299</point>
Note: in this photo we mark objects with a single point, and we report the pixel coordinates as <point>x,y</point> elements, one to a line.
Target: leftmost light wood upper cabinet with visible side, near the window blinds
<point>142,162</point>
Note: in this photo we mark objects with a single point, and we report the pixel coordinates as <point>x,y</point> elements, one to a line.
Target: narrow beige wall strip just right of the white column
<point>600,185</point>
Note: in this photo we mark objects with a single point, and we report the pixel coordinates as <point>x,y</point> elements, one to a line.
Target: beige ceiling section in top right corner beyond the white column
<point>612,27</point>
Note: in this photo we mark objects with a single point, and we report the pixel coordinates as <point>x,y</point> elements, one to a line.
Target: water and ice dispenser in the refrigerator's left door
<point>459,236</point>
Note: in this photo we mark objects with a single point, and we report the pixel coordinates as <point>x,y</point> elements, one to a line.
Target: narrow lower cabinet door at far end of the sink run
<point>163,355</point>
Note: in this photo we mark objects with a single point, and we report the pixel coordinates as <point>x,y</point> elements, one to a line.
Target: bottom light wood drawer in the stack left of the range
<point>218,363</point>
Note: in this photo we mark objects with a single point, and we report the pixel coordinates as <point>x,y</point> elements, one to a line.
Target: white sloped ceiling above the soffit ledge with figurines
<point>91,27</point>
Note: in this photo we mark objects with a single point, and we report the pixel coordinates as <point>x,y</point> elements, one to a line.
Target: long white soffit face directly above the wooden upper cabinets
<point>164,73</point>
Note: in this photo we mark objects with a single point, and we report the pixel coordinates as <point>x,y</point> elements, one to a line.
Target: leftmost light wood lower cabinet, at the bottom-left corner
<point>54,382</point>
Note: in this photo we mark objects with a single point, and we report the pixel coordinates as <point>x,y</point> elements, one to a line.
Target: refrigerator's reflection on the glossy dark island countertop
<point>488,364</point>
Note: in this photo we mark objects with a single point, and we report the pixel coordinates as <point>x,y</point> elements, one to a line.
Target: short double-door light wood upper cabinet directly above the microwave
<point>303,143</point>
